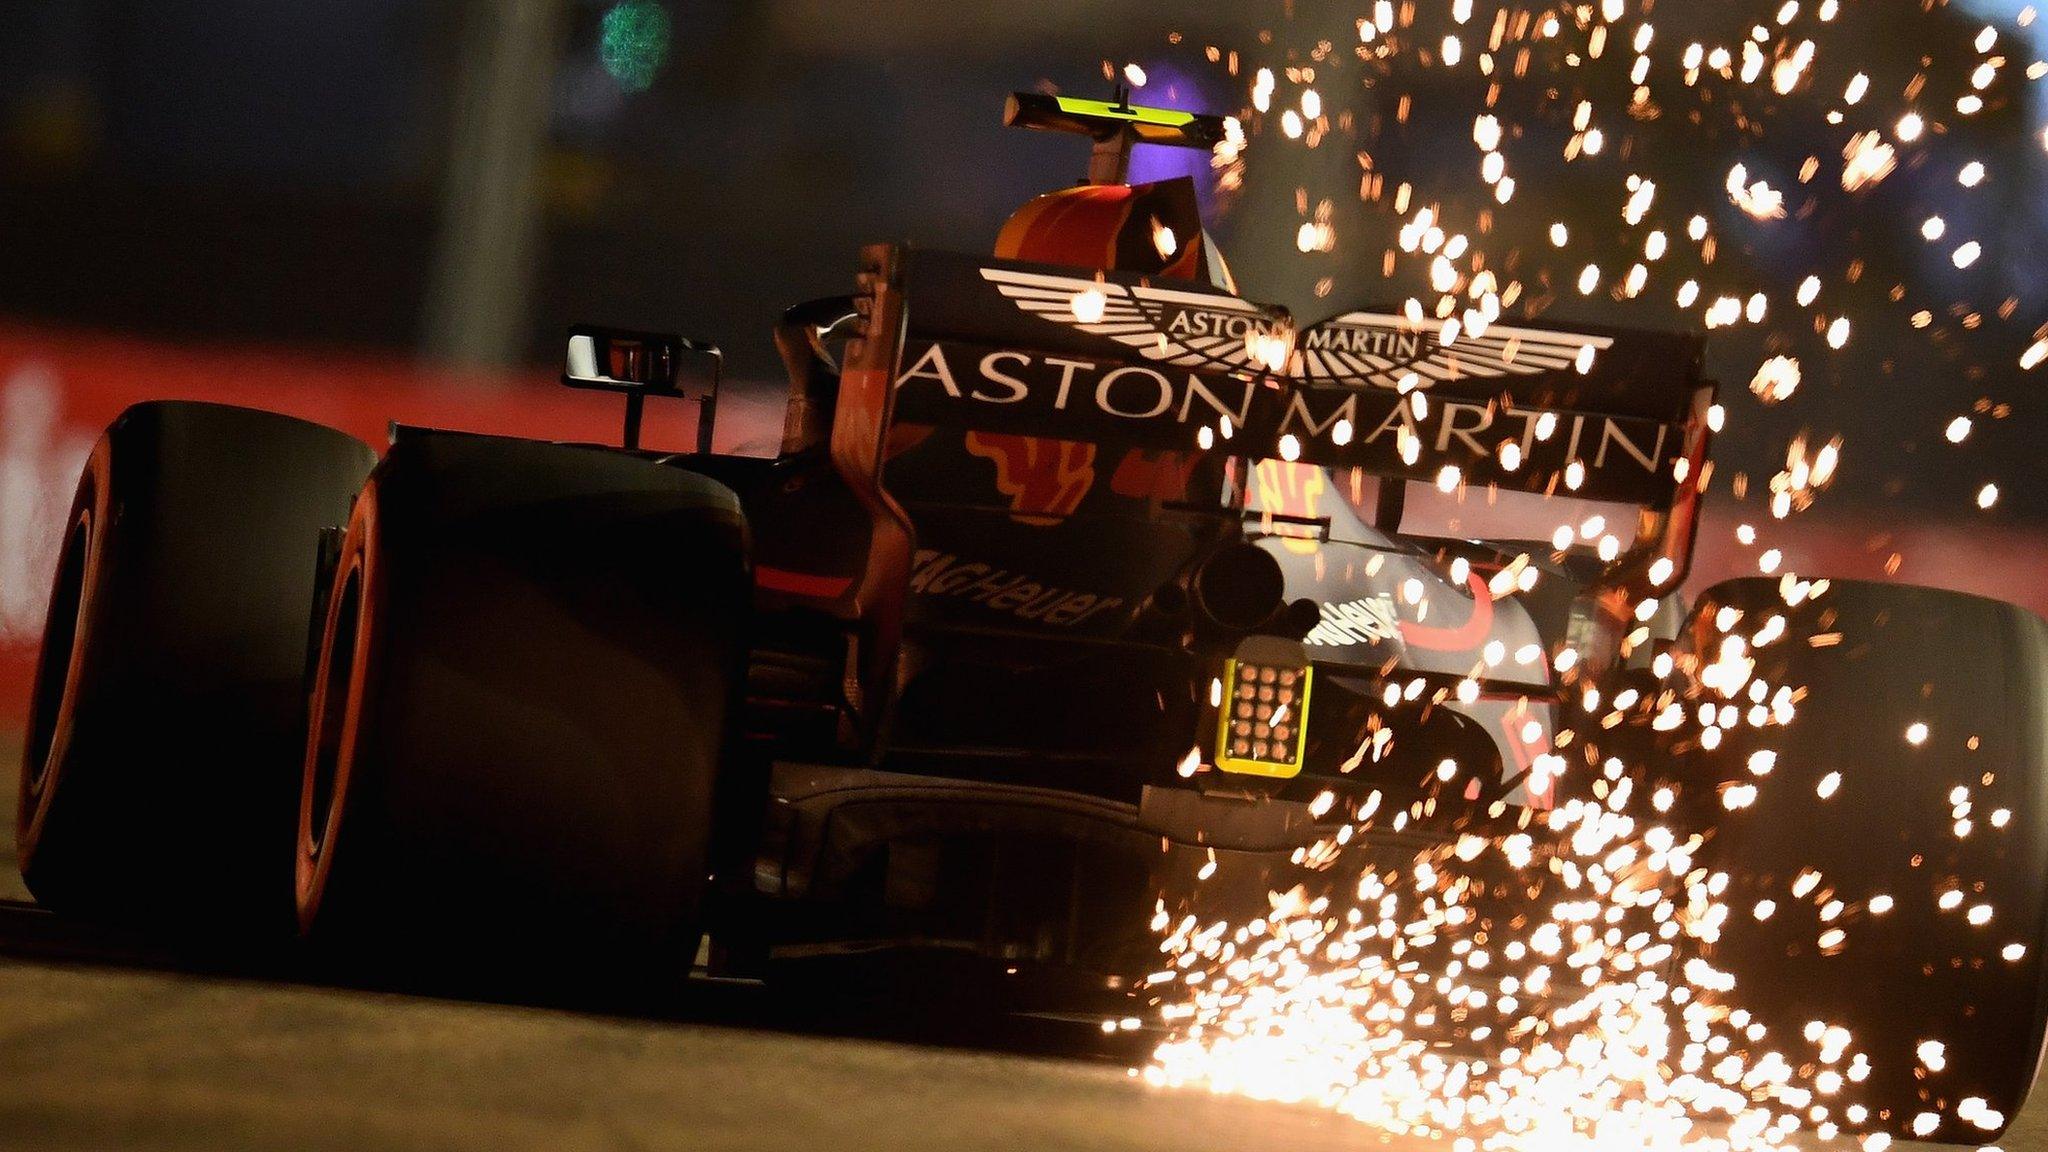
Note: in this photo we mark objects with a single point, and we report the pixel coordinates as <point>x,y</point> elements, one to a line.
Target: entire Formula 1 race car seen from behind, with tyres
<point>1076,571</point>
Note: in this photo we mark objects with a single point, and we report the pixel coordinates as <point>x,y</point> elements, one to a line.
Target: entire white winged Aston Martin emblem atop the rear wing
<point>1359,349</point>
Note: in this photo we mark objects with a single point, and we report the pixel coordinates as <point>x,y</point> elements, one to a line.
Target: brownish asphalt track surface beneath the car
<point>112,1044</point>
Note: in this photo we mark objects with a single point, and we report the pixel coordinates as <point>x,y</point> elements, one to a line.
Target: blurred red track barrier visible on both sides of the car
<point>58,388</point>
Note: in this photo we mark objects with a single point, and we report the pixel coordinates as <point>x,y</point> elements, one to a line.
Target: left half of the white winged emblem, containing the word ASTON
<point>1185,329</point>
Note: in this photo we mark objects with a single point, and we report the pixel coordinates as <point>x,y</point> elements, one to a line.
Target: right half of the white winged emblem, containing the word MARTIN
<point>1379,352</point>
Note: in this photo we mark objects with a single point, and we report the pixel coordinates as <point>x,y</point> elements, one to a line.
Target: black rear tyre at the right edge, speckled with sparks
<point>1891,872</point>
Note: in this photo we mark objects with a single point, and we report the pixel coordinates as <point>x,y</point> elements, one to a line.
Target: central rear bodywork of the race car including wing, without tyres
<point>996,708</point>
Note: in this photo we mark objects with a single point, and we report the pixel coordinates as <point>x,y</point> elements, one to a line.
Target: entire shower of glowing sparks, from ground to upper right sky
<point>1590,1018</point>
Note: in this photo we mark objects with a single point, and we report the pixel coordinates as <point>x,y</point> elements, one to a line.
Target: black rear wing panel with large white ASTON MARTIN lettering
<point>1041,352</point>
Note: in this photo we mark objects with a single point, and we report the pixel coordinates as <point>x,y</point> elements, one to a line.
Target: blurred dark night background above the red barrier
<point>275,175</point>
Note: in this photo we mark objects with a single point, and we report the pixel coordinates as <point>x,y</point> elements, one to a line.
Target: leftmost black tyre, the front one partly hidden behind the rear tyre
<point>169,706</point>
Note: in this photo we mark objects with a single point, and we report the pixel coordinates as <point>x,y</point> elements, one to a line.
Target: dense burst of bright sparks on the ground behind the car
<point>1580,1018</point>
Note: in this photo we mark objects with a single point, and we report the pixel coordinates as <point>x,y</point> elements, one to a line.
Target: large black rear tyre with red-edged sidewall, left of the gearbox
<point>519,716</point>
